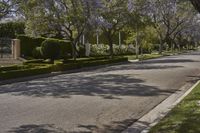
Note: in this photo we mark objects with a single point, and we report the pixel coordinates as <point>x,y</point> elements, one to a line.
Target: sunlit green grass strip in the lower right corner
<point>184,118</point>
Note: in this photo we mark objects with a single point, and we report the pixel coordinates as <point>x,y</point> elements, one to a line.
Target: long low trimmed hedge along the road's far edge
<point>37,67</point>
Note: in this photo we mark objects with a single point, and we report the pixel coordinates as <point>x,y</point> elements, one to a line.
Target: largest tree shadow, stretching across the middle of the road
<point>108,86</point>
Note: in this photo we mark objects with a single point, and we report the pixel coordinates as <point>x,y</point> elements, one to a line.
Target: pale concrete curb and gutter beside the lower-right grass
<point>152,118</point>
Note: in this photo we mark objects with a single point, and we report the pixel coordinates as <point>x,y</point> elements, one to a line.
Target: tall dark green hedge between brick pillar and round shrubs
<point>28,44</point>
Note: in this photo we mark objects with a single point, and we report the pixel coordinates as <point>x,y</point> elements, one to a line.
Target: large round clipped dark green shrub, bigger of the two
<point>51,49</point>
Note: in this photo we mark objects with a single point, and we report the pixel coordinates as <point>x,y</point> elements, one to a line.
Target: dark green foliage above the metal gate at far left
<point>11,29</point>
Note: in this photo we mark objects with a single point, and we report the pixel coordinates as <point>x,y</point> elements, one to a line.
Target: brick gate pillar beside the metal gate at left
<point>16,51</point>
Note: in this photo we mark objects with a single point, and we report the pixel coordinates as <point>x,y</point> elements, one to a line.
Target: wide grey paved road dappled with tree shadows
<point>106,100</point>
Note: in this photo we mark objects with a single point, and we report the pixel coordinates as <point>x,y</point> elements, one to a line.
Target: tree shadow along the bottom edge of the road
<point>114,127</point>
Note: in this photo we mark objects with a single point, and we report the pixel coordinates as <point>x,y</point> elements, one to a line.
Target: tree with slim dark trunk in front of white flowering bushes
<point>112,19</point>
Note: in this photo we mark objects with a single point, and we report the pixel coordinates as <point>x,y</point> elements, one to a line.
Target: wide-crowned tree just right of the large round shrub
<point>70,17</point>
